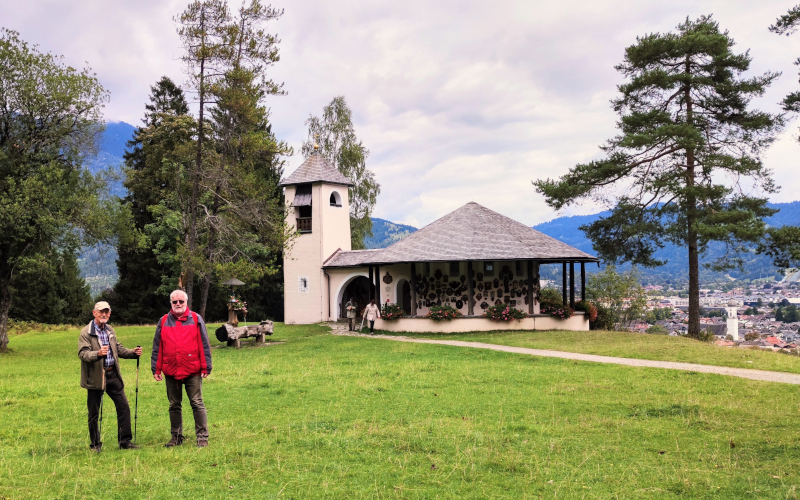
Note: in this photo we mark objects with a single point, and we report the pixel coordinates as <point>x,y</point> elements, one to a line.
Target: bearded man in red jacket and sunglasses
<point>182,353</point>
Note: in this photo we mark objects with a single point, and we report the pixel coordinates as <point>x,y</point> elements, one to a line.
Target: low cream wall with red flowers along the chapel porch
<point>578,322</point>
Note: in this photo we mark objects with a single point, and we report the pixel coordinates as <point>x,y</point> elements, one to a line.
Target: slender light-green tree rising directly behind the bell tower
<point>338,143</point>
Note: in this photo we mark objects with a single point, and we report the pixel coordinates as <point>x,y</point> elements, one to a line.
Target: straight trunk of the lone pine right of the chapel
<point>691,222</point>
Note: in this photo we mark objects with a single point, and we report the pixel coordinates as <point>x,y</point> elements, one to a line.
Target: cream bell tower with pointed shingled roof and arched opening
<point>319,210</point>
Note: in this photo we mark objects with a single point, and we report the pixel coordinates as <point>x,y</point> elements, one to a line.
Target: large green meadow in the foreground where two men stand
<point>318,416</point>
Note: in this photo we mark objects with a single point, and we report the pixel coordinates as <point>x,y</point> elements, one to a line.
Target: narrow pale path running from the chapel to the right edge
<point>781,377</point>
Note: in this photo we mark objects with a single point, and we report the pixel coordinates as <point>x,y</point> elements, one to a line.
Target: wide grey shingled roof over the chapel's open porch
<point>471,233</point>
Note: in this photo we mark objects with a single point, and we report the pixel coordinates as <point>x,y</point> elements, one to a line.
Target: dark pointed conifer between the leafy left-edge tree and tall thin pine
<point>137,297</point>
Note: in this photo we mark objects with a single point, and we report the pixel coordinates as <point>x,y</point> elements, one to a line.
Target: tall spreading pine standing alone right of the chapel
<point>688,144</point>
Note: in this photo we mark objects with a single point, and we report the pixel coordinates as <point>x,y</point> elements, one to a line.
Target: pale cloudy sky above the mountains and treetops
<point>457,101</point>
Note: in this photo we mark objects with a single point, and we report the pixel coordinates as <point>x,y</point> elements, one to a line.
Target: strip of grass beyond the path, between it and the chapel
<point>630,345</point>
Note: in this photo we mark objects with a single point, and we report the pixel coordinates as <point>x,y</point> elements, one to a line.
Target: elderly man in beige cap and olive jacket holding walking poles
<point>100,352</point>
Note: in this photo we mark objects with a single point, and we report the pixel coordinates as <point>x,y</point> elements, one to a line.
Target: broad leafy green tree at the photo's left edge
<point>50,117</point>
